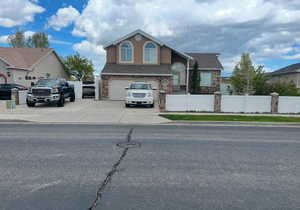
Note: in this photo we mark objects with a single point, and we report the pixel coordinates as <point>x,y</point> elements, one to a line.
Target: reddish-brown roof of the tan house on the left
<point>23,58</point>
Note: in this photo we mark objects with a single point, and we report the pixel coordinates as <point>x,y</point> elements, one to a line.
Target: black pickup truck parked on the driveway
<point>50,91</point>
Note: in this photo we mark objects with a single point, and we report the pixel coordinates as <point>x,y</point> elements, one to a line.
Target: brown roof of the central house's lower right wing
<point>207,61</point>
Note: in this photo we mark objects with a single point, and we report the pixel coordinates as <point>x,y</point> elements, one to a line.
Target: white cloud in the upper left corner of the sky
<point>18,12</point>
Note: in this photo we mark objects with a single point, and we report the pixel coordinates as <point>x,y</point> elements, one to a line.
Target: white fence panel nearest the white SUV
<point>198,103</point>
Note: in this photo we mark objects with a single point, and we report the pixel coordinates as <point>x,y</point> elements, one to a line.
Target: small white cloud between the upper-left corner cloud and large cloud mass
<point>63,18</point>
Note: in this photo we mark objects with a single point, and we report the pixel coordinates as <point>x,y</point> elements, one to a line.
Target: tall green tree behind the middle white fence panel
<point>243,75</point>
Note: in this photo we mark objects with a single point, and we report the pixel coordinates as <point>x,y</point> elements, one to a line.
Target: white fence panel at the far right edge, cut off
<point>289,104</point>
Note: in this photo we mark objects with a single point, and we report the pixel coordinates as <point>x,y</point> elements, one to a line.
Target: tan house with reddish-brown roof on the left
<point>25,65</point>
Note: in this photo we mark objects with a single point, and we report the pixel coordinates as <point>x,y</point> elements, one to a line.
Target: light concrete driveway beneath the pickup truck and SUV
<point>85,111</point>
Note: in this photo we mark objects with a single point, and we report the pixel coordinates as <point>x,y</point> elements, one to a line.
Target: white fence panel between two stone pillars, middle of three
<point>247,104</point>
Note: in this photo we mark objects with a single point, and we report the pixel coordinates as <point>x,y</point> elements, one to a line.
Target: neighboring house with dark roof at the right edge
<point>286,74</point>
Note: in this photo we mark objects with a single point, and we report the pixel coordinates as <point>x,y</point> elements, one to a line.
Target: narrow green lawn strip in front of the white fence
<point>231,118</point>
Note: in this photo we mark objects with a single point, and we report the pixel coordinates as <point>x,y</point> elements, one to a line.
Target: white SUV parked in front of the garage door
<point>140,93</point>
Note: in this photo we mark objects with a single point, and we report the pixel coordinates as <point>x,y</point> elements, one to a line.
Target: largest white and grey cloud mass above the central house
<point>265,28</point>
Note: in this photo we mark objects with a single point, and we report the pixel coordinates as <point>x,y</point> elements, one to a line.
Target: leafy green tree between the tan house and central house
<point>80,67</point>
